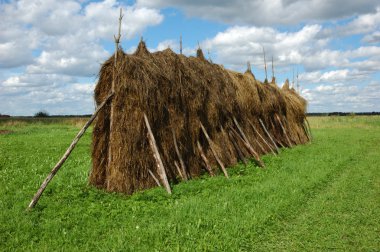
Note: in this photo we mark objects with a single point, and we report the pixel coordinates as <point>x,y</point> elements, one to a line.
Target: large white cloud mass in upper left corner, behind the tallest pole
<point>65,31</point>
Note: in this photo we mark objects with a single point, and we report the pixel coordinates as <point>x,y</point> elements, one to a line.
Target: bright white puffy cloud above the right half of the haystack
<point>238,44</point>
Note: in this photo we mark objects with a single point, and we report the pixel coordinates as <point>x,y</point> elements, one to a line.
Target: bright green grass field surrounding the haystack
<point>316,197</point>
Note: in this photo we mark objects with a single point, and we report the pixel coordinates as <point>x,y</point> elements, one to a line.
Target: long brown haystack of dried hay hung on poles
<point>179,94</point>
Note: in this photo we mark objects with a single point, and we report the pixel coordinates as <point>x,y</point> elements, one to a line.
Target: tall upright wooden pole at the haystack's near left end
<point>112,112</point>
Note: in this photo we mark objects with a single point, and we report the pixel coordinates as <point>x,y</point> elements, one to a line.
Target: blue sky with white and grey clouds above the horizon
<point>51,51</point>
